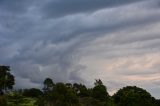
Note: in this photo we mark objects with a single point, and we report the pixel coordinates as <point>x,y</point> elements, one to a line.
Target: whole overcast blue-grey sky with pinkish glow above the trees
<point>117,41</point>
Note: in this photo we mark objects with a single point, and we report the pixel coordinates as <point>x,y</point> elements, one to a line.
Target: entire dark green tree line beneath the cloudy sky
<point>68,94</point>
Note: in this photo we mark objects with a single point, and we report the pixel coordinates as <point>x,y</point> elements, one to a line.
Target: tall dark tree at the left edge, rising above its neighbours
<point>6,79</point>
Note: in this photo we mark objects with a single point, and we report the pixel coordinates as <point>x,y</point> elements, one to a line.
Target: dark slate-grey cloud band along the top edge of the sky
<point>60,8</point>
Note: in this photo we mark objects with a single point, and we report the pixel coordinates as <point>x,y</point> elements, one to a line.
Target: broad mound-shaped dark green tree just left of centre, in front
<point>59,95</point>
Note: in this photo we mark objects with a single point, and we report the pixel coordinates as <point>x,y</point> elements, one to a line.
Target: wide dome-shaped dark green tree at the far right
<point>132,96</point>
